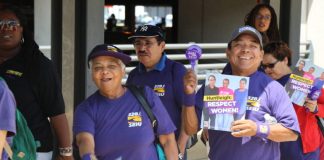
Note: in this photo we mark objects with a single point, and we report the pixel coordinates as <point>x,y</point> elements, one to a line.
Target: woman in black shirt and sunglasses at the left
<point>34,82</point>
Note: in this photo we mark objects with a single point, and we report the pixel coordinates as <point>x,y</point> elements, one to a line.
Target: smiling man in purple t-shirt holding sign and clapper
<point>258,136</point>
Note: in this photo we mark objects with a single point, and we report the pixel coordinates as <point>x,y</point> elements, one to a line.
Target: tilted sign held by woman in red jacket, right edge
<point>305,82</point>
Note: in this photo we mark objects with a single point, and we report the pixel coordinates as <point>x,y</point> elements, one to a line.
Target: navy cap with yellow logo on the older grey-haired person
<point>108,50</point>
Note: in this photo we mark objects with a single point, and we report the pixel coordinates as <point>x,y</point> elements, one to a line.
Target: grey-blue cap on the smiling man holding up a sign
<point>247,30</point>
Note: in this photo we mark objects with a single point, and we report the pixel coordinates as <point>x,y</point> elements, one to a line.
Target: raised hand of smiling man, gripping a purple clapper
<point>190,82</point>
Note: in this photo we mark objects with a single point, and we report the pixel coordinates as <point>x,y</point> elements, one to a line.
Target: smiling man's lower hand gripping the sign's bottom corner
<point>244,128</point>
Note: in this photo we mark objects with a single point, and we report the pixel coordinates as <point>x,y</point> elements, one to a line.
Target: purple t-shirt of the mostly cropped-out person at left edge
<point>7,111</point>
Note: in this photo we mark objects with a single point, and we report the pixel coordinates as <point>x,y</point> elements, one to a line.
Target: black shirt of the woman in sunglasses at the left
<point>38,97</point>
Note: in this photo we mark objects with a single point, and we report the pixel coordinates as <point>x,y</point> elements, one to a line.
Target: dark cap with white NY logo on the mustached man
<point>147,31</point>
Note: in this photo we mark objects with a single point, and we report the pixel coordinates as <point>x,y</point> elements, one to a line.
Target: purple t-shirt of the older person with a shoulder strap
<point>121,127</point>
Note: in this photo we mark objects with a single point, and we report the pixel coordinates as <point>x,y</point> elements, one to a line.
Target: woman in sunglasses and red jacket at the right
<point>276,62</point>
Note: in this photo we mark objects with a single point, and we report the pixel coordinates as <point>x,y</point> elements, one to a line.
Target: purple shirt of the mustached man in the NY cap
<point>167,82</point>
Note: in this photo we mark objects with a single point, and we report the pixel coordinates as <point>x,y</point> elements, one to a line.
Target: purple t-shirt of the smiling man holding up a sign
<point>265,97</point>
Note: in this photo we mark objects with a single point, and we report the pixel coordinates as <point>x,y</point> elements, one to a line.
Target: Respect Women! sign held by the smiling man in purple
<point>225,100</point>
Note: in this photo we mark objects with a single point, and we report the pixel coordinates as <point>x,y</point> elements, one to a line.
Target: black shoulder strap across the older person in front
<point>138,93</point>
